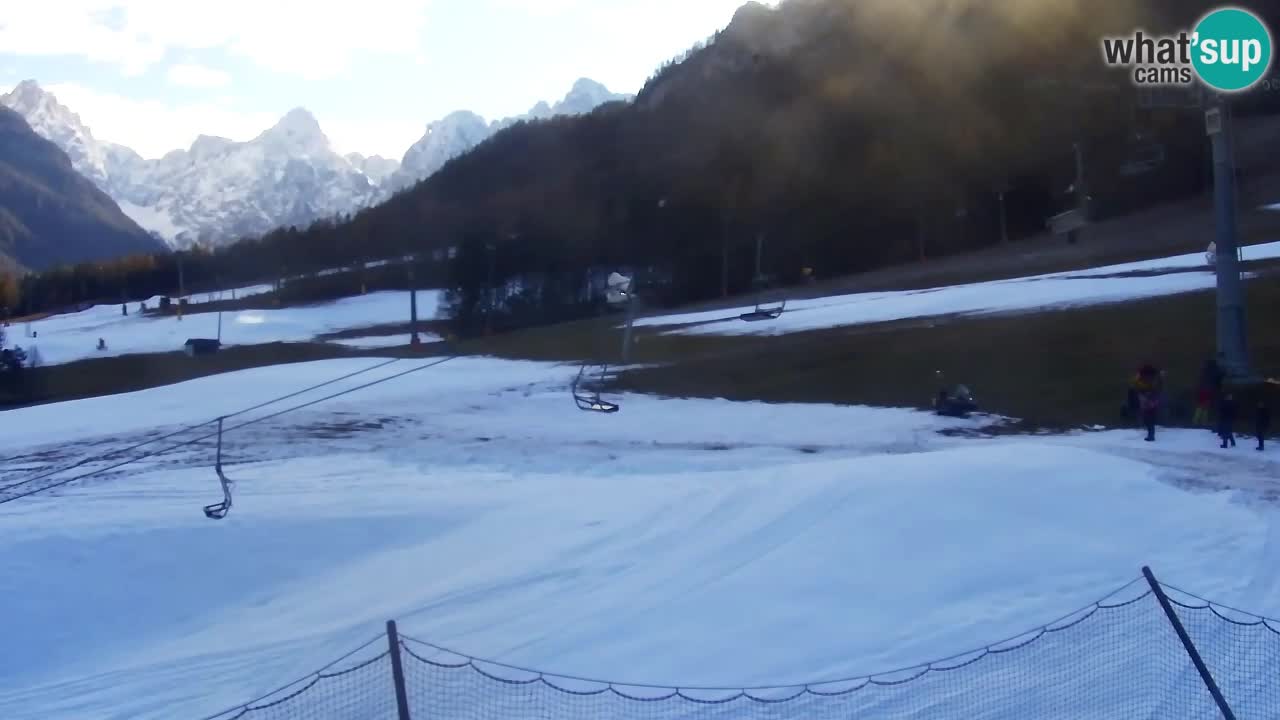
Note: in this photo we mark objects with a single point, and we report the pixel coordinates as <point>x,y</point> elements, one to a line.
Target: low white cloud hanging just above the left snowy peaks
<point>154,129</point>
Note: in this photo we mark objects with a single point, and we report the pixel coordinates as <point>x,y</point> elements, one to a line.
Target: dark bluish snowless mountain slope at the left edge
<point>49,213</point>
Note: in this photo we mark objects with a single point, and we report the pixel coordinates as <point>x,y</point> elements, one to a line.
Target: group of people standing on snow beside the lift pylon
<point>1213,402</point>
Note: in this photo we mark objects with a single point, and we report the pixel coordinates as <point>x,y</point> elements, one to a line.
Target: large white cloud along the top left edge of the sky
<point>316,40</point>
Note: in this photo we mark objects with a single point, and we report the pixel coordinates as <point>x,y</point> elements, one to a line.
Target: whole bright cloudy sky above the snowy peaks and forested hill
<point>153,75</point>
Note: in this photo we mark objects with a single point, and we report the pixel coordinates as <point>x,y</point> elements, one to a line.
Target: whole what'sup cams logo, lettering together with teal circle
<point>1229,51</point>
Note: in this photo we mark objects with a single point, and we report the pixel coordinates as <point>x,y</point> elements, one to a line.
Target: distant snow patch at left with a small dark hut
<point>66,339</point>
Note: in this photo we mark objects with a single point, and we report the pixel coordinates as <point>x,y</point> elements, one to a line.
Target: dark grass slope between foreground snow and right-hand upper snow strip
<point>1055,370</point>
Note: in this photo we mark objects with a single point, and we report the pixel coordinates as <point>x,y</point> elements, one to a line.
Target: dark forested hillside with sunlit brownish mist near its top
<point>848,135</point>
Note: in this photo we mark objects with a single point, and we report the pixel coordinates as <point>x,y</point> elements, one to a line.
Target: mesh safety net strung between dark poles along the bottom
<point>1119,659</point>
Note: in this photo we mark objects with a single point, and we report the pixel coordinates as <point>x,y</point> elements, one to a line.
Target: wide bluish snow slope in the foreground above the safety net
<point>684,543</point>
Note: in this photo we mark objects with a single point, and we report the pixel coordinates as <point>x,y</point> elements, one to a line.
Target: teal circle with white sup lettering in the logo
<point>1232,49</point>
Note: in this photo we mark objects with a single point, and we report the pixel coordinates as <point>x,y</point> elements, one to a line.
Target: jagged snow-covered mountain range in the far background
<point>222,190</point>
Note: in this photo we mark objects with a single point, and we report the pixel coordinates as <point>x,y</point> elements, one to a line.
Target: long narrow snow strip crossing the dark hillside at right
<point>1169,276</point>
